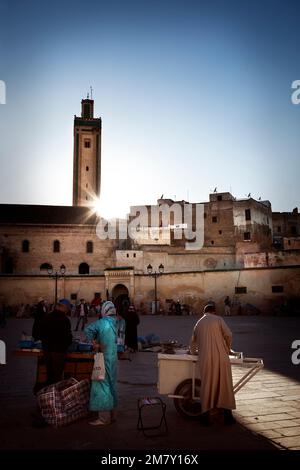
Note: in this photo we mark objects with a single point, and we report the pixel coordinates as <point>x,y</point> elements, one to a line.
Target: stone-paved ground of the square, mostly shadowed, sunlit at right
<point>268,407</point>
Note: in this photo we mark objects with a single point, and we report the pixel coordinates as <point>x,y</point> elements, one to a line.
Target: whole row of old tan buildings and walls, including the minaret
<point>246,251</point>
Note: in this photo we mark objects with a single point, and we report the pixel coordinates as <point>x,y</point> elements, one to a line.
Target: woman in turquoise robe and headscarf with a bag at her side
<point>103,332</point>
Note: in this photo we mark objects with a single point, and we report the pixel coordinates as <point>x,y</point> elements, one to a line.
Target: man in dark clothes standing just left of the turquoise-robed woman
<point>56,338</point>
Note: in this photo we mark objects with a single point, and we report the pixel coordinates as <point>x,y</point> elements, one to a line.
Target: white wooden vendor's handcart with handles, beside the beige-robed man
<point>177,378</point>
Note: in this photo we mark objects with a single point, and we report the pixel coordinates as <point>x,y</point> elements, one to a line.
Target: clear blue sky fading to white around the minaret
<point>193,95</point>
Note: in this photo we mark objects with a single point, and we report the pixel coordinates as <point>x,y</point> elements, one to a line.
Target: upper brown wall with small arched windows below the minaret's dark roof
<point>73,248</point>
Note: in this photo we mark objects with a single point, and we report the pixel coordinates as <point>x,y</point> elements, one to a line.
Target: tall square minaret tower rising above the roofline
<point>87,155</point>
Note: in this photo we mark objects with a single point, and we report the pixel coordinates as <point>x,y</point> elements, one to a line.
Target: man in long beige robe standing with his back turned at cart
<point>211,340</point>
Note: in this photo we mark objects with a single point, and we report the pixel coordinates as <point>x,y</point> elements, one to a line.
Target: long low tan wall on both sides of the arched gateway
<point>192,288</point>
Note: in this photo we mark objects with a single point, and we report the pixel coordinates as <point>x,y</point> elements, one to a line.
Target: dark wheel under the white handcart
<point>187,407</point>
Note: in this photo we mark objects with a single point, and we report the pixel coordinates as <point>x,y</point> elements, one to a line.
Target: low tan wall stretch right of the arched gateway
<point>196,289</point>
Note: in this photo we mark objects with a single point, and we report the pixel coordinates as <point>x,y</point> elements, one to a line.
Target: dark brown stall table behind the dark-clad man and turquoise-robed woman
<point>78,365</point>
